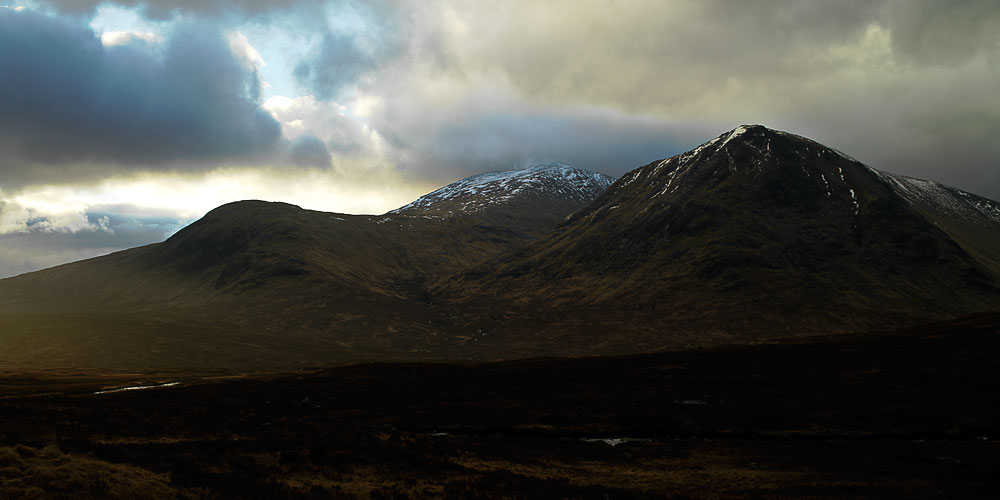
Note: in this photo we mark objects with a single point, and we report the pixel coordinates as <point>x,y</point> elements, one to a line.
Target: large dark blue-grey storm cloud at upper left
<point>67,99</point>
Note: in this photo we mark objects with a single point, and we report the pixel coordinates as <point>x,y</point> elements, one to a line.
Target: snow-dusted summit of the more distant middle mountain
<point>556,181</point>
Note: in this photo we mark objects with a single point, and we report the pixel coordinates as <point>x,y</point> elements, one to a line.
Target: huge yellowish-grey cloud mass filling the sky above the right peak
<point>904,86</point>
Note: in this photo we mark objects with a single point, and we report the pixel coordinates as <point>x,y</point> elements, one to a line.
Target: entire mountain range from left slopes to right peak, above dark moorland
<point>755,235</point>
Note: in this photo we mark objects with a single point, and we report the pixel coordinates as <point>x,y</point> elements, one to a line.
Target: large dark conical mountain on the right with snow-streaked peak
<point>755,234</point>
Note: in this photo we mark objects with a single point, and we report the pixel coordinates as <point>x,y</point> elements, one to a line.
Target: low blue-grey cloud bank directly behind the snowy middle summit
<point>593,139</point>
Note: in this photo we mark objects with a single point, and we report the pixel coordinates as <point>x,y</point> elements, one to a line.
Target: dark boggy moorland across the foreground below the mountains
<point>909,414</point>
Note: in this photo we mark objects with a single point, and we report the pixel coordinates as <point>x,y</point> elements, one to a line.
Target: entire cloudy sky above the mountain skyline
<point>122,121</point>
